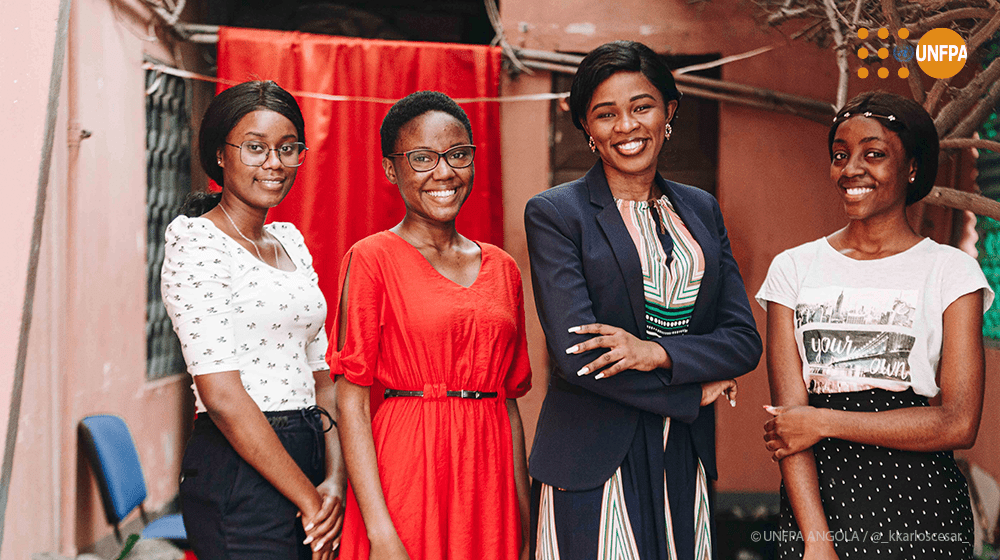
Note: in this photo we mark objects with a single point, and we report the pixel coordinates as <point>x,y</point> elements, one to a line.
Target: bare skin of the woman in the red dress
<point>433,199</point>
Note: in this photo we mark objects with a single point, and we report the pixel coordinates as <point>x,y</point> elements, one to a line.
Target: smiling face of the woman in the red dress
<point>437,195</point>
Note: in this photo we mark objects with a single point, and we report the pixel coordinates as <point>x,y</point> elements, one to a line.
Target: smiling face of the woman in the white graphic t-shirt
<point>870,169</point>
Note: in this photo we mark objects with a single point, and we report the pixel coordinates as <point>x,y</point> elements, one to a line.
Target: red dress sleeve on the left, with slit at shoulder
<point>358,357</point>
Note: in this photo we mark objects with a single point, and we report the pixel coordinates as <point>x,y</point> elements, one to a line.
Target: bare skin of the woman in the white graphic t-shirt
<point>871,171</point>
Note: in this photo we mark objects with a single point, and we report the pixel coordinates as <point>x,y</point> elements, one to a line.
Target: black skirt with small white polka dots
<point>881,502</point>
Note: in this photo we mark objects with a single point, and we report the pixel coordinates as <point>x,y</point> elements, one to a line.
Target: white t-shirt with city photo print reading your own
<point>865,324</point>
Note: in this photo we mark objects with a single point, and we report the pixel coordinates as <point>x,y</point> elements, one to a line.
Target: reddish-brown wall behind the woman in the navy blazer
<point>773,183</point>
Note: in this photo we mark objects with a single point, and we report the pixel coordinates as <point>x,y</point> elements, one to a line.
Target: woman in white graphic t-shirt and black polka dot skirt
<point>860,323</point>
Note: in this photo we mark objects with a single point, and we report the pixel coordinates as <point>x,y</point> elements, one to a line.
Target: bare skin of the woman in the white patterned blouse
<point>248,194</point>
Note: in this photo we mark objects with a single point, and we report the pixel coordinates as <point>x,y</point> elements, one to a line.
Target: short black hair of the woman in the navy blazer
<point>611,58</point>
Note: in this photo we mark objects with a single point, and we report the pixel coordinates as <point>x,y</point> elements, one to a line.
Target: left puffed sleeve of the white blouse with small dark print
<point>195,285</point>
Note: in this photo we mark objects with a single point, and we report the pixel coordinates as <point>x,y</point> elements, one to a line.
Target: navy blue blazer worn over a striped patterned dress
<point>585,269</point>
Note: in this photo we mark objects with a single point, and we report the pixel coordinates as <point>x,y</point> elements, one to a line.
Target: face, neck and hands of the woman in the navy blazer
<point>626,118</point>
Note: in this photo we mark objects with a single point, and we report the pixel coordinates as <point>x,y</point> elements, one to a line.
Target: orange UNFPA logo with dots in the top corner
<point>940,53</point>
